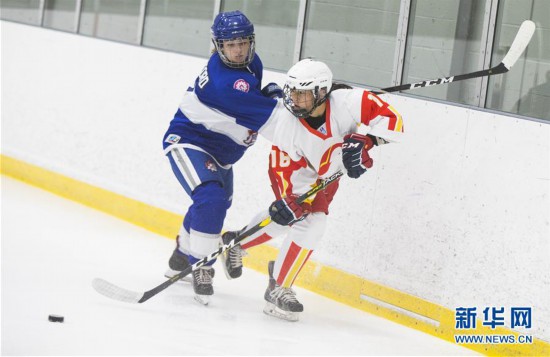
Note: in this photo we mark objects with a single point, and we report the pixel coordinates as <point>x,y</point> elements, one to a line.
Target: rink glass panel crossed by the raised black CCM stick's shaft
<point>444,39</point>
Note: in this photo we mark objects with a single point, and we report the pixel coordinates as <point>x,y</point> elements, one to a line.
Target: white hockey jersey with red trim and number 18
<point>303,155</point>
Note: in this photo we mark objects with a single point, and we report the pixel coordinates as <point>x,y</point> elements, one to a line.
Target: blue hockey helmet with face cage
<point>233,25</point>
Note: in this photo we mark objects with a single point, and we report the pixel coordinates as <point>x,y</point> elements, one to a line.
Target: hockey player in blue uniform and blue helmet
<point>217,120</point>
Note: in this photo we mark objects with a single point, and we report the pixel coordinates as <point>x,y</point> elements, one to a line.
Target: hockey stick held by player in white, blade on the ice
<point>117,293</point>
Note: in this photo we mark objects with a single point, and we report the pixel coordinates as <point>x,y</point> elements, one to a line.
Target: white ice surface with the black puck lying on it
<point>53,248</point>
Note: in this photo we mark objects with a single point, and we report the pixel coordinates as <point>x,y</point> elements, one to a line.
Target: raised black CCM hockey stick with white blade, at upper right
<point>519,44</point>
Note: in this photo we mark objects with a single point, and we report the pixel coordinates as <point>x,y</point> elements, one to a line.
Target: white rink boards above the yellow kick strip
<point>458,214</point>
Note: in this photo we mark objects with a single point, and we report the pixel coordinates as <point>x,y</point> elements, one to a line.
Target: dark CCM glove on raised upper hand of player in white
<point>355,154</point>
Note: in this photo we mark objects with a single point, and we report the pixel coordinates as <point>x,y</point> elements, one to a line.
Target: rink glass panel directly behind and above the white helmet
<point>356,39</point>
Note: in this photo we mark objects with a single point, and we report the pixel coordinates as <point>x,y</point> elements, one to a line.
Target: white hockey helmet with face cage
<point>311,75</point>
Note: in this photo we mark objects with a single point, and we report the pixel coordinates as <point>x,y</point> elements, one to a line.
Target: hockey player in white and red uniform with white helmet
<point>319,139</point>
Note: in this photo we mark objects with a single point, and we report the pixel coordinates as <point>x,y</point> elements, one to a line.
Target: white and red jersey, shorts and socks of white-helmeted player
<point>301,155</point>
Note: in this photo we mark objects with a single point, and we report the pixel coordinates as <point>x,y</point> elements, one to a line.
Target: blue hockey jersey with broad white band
<point>223,112</point>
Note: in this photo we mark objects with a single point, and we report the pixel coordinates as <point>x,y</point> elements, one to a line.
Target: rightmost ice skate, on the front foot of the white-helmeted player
<point>281,302</point>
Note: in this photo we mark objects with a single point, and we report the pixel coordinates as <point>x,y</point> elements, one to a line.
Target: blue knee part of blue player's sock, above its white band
<point>209,208</point>
